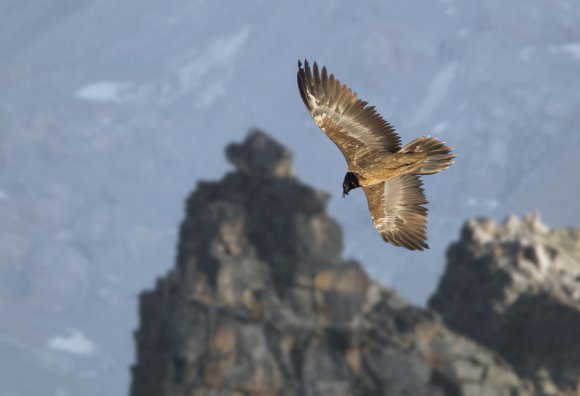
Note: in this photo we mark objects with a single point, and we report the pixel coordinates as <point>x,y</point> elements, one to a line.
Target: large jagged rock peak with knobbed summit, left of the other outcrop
<point>260,302</point>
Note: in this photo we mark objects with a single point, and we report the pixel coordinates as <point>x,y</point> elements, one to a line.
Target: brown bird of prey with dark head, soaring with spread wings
<point>388,173</point>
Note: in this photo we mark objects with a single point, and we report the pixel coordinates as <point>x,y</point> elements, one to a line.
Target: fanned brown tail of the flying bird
<point>439,156</point>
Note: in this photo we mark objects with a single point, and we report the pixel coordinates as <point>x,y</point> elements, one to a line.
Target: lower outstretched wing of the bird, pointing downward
<point>396,210</point>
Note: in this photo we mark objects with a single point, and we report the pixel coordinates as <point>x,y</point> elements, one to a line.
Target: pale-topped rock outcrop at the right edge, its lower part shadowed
<point>515,288</point>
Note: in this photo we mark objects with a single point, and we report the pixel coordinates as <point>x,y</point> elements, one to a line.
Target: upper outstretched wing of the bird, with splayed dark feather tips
<point>352,125</point>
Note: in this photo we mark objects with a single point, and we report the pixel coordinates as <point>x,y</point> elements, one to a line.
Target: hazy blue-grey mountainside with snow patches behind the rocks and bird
<point>111,111</point>
